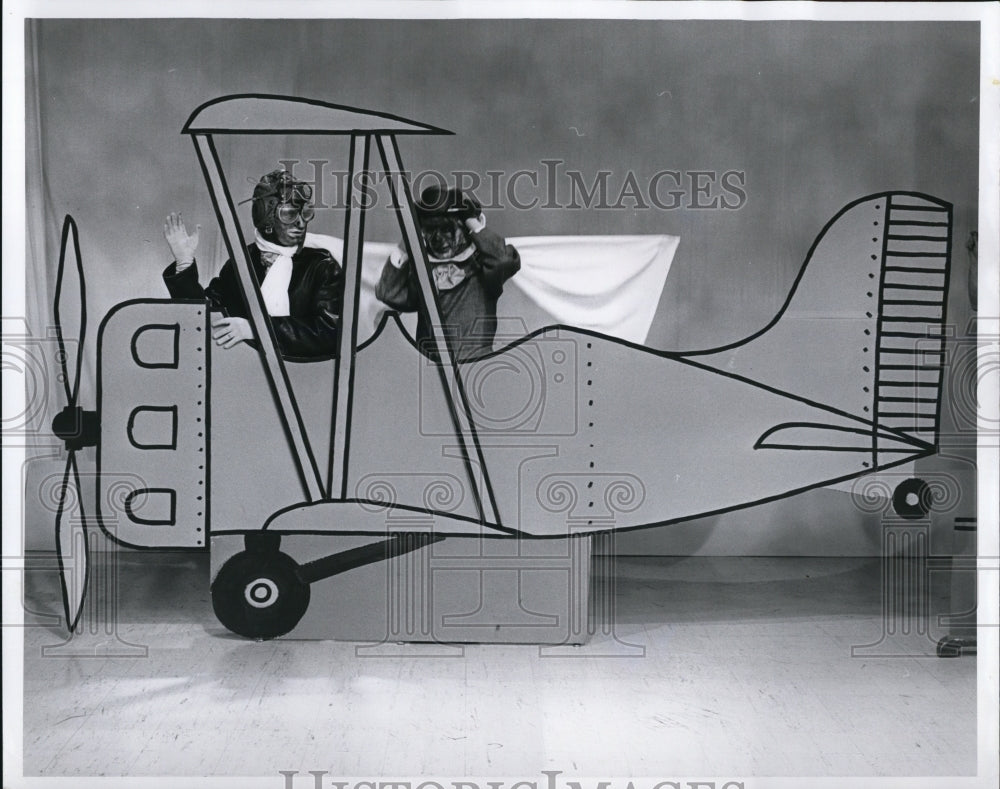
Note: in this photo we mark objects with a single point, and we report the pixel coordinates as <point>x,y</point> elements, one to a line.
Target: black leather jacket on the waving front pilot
<point>314,299</point>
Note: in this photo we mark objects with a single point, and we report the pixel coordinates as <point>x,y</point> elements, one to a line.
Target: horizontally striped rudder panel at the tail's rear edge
<point>913,293</point>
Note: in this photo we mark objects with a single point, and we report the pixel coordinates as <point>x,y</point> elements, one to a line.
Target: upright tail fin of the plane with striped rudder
<point>863,328</point>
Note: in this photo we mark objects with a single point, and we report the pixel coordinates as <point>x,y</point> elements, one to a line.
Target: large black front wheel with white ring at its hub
<point>258,594</point>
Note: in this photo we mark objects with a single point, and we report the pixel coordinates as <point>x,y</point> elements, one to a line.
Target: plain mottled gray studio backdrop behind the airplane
<point>809,115</point>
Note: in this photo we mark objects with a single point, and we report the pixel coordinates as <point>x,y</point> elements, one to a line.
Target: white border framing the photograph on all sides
<point>988,14</point>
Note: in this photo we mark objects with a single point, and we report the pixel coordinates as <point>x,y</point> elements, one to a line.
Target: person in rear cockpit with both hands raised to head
<point>469,265</point>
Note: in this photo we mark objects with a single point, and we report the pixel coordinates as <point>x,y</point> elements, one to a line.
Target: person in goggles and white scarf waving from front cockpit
<point>301,286</point>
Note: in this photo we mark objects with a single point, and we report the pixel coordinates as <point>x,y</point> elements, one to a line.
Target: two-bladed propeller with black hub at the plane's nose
<point>76,427</point>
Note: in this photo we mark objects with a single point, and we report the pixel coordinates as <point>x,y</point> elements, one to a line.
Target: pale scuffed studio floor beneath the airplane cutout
<point>714,666</point>
